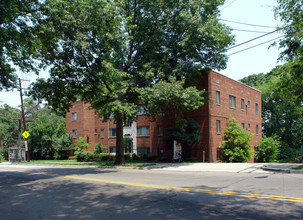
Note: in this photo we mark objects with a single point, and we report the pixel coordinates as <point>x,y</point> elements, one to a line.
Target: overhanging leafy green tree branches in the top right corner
<point>291,14</point>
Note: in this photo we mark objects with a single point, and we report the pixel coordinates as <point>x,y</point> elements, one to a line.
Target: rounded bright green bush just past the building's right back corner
<point>268,149</point>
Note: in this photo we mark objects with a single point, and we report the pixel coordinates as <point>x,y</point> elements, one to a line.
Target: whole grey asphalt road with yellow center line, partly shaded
<point>32,192</point>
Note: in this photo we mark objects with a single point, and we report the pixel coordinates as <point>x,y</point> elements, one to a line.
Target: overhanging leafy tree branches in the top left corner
<point>18,42</point>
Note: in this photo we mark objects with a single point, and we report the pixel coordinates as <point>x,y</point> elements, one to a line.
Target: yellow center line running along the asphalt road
<point>217,192</point>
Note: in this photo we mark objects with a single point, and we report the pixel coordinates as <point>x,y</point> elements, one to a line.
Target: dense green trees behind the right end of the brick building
<point>282,110</point>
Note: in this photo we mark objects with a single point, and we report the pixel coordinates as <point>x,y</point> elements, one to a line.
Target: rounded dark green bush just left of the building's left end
<point>62,146</point>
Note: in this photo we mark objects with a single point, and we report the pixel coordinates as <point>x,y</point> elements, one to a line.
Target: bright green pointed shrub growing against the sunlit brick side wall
<point>236,143</point>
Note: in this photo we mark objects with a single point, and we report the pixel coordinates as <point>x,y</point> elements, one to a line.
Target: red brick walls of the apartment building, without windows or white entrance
<point>206,116</point>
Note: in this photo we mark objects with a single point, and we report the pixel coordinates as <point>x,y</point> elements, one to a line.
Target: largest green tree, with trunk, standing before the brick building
<point>104,52</point>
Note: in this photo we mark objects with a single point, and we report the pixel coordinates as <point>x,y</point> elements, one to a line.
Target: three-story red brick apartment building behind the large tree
<point>226,97</point>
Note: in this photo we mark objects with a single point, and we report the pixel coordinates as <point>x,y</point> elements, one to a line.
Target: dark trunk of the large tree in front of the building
<point>119,140</point>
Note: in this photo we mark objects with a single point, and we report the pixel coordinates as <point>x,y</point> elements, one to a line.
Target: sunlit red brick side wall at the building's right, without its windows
<point>227,87</point>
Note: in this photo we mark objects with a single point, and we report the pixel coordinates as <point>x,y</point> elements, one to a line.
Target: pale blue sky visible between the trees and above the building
<point>259,59</point>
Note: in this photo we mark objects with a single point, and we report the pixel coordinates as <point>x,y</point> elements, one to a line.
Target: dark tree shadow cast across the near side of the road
<point>34,196</point>
